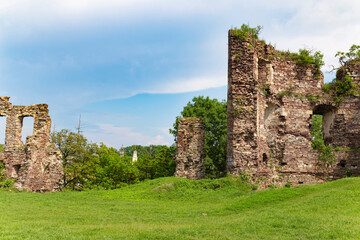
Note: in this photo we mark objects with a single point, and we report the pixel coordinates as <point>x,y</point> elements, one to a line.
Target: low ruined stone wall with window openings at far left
<point>36,165</point>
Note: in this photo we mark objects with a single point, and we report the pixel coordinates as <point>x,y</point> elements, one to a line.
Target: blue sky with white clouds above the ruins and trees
<point>128,67</point>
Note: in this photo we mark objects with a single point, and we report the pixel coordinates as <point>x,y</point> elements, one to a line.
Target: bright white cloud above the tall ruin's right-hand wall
<point>329,26</point>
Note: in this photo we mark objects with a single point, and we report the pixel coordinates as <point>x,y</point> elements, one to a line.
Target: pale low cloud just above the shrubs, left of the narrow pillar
<point>115,136</point>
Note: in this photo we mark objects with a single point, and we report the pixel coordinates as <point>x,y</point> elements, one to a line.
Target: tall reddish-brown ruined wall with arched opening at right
<point>270,108</point>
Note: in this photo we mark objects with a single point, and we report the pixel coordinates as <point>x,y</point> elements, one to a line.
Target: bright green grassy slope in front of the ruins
<point>186,210</point>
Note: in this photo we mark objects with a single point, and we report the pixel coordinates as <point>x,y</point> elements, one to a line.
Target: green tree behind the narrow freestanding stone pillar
<point>213,113</point>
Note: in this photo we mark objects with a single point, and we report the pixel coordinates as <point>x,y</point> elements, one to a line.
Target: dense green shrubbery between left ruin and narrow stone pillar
<point>92,166</point>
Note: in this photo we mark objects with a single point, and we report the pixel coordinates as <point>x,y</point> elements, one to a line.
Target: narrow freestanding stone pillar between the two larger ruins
<point>190,149</point>
